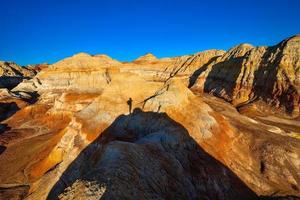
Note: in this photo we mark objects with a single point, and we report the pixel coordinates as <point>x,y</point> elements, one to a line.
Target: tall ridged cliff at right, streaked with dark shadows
<point>247,74</point>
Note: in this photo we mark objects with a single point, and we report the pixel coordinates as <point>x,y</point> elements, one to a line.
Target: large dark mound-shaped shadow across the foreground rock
<point>147,155</point>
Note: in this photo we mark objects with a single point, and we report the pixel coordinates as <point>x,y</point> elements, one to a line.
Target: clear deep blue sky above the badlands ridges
<point>39,31</point>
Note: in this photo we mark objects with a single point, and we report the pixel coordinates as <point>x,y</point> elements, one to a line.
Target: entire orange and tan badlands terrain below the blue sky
<point>213,125</point>
